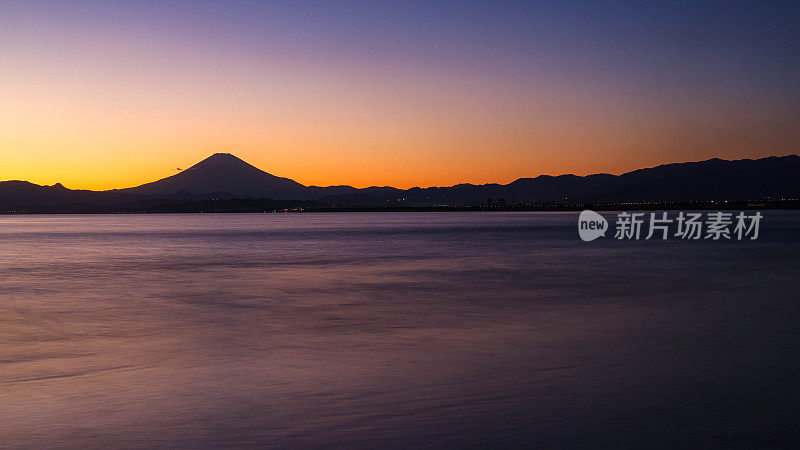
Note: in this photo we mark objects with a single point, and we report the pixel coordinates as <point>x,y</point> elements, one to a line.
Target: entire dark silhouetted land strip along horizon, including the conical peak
<point>223,176</point>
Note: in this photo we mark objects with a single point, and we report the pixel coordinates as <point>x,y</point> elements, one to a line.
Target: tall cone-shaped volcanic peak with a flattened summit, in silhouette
<point>223,173</point>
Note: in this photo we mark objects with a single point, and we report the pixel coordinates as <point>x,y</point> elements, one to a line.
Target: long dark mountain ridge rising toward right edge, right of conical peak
<point>714,179</point>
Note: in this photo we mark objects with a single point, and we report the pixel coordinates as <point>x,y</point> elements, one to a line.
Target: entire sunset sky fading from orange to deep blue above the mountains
<point>101,95</point>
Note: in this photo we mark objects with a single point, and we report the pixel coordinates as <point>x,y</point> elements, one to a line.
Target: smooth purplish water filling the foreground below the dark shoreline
<point>399,329</point>
